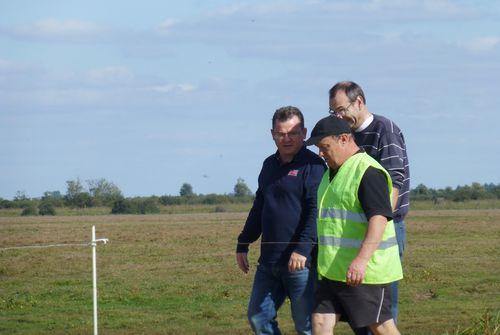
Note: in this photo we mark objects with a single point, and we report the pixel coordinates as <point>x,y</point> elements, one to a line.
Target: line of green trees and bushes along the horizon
<point>103,193</point>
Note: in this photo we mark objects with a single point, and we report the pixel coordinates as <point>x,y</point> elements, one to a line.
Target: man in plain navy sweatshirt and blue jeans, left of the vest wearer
<point>284,216</point>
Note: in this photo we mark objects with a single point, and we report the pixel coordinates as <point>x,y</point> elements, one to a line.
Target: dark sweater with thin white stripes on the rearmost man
<point>383,140</point>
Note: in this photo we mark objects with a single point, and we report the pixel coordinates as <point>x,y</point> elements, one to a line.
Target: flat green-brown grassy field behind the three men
<point>176,274</point>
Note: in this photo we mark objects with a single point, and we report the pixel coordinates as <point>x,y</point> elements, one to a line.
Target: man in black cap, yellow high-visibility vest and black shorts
<point>358,253</point>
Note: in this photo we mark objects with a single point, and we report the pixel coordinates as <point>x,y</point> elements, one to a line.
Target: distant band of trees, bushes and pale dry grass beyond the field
<point>104,197</point>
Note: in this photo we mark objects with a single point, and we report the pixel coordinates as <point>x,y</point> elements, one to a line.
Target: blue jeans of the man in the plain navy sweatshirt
<point>272,284</point>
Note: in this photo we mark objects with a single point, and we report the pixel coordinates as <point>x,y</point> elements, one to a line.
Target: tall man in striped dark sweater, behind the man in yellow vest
<point>383,140</point>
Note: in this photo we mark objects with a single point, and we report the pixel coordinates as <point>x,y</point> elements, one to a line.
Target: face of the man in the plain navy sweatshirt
<point>288,136</point>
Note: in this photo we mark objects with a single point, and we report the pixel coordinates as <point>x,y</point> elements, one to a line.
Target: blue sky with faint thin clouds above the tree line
<point>152,94</point>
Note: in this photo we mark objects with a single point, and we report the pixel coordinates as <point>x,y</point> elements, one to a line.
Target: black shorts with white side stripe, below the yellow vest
<point>361,305</point>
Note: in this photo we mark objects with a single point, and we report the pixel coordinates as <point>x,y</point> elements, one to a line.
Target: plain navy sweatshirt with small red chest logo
<point>284,209</point>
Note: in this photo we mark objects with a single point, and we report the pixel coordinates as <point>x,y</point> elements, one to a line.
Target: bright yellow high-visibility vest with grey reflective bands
<point>342,226</point>
